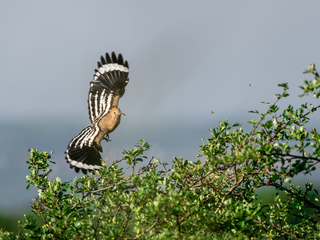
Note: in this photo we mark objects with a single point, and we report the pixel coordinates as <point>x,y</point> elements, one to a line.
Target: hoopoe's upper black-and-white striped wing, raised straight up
<point>108,85</point>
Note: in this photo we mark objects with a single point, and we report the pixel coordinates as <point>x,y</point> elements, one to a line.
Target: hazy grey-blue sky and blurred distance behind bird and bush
<point>186,60</point>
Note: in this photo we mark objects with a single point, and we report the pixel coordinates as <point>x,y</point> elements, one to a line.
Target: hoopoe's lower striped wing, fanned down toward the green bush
<point>83,152</point>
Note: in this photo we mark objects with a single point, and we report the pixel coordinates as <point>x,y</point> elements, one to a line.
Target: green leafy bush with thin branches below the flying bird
<point>211,199</point>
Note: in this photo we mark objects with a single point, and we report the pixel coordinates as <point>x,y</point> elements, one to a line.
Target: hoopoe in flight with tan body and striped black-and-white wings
<point>107,87</point>
